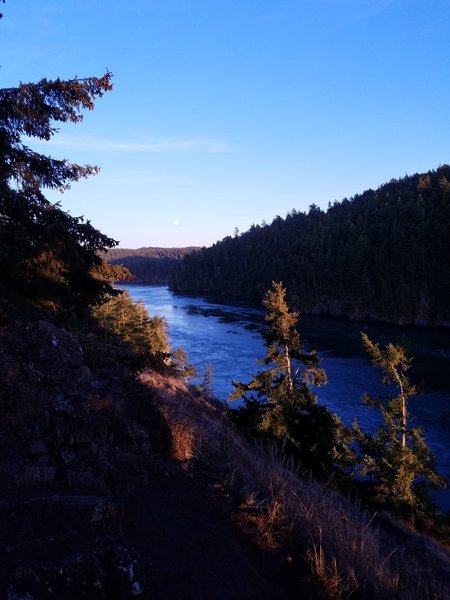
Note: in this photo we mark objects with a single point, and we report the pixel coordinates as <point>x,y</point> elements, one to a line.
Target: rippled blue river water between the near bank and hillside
<point>226,336</point>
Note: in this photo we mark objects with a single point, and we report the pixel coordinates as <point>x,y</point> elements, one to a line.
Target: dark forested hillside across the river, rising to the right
<point>382,255</point>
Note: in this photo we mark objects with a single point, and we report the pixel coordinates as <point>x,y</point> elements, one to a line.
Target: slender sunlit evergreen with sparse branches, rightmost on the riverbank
<point>396,456</point>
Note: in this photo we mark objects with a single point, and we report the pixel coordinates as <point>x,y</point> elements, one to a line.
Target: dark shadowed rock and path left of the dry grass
<point>94,501</point>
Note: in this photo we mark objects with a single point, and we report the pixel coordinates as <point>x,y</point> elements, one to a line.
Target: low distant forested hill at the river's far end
<point>149,265</point>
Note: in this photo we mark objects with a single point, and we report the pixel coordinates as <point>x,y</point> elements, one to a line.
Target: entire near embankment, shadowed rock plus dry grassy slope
<point>114,487</point>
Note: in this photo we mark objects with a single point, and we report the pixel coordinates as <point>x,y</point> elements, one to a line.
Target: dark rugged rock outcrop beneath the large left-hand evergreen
<point>68,457</point>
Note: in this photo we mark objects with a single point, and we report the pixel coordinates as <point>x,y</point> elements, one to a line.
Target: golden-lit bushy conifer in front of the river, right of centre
<point>279,403</point>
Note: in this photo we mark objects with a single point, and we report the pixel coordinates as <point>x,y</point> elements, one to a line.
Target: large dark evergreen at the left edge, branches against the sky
<point>48,259</point>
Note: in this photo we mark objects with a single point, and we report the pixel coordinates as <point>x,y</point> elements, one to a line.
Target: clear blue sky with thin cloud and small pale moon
<point>227,113</point>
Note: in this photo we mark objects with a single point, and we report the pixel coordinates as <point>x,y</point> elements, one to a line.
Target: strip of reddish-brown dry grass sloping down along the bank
<point>348,555</point>
